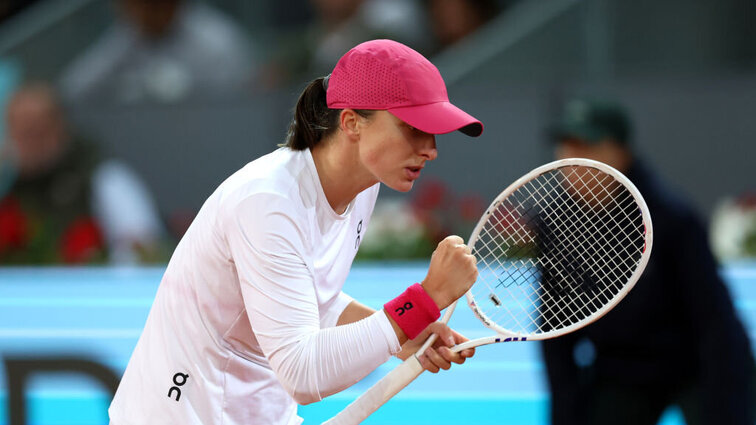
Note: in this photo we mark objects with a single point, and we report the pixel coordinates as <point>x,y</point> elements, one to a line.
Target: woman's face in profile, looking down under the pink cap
<point>393,151</point>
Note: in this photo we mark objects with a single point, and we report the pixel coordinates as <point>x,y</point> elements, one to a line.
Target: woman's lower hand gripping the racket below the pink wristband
<point>438,356</point>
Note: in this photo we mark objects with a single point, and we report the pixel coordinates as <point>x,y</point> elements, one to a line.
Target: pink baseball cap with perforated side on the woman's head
<point>386,75</point>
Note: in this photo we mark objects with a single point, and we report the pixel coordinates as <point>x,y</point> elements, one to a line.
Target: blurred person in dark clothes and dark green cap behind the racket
<point>675,339</point>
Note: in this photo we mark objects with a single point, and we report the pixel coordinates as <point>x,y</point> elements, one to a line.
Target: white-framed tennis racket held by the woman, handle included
<point>555,251</point>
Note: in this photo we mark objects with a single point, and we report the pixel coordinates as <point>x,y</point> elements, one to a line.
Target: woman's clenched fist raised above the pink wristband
<point>451,273</point>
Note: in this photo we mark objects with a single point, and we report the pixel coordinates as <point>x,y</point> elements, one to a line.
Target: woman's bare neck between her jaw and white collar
<point>340,171</point>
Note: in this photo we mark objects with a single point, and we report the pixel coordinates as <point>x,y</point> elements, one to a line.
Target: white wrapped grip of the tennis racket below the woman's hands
<point>381,392</point>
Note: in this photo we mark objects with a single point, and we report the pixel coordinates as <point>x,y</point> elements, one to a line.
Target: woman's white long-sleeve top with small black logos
<point>243,324</point>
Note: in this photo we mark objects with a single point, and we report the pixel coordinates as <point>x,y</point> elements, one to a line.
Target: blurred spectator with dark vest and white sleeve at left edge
<point>59,202</point>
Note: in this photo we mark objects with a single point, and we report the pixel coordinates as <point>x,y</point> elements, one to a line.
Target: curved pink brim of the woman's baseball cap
<point>439,118</point>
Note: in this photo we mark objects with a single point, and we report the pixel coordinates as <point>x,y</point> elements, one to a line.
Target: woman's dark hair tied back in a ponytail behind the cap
<point>313,119</point>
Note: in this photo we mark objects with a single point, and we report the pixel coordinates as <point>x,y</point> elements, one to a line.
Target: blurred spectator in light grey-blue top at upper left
<point>164,51</point>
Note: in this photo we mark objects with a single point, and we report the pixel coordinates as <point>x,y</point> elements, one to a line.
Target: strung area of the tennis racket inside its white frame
<point>557,250</point>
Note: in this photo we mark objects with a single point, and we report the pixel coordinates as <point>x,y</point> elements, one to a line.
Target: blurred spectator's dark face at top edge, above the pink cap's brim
<point>453,20</point>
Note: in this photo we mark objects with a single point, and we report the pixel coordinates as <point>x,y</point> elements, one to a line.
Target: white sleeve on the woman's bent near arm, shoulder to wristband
<point>267,245</point>
